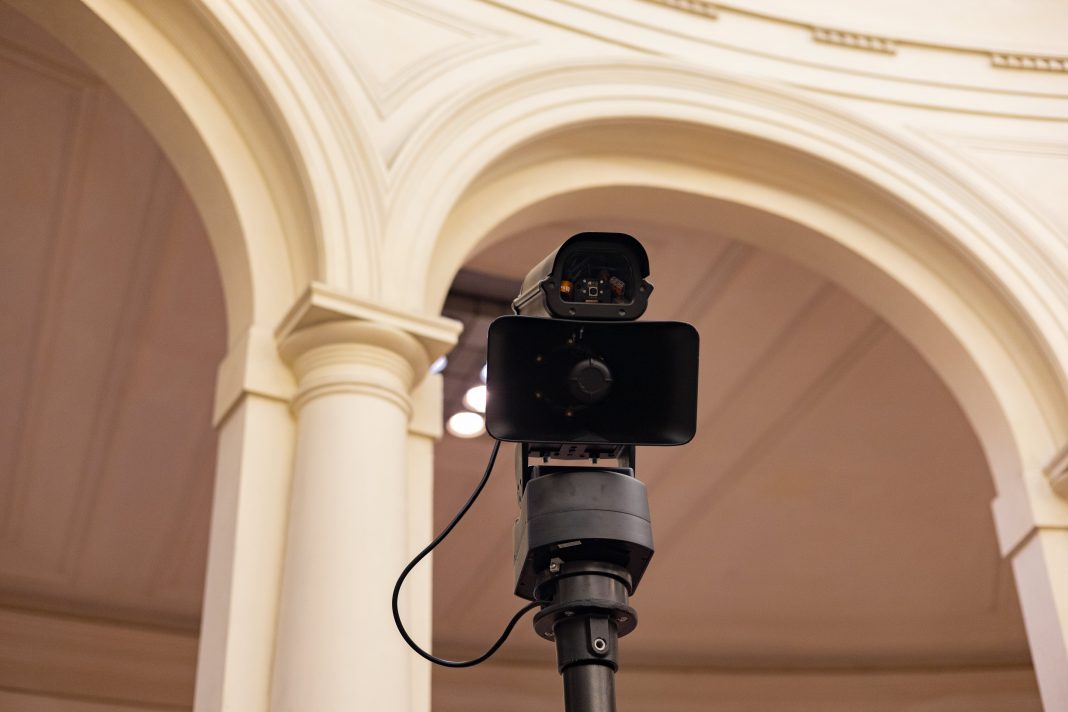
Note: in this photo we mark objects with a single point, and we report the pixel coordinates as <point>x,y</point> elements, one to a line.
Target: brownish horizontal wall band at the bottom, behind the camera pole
<point>527,687</point>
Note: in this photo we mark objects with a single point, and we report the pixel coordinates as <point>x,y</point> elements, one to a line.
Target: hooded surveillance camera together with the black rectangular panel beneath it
<point>590,379</point>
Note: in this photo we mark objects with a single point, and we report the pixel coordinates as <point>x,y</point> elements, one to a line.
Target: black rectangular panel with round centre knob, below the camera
<point>611,383</point>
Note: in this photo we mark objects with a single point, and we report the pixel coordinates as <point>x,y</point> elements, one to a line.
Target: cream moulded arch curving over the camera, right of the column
<point>960,268</point>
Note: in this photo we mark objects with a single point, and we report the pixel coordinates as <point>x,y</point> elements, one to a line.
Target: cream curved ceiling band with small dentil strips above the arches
<point>959,55</point>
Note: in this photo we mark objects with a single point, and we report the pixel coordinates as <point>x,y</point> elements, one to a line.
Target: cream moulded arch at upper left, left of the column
<point>234,156</point>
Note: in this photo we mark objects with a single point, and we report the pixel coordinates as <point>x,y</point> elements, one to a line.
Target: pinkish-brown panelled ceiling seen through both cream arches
<point>825,543</point>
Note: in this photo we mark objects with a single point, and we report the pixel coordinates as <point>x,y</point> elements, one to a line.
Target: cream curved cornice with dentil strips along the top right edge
<point>898,70</point>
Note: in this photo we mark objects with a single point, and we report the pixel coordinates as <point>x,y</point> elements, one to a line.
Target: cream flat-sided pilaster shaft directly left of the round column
<point>245,557</point>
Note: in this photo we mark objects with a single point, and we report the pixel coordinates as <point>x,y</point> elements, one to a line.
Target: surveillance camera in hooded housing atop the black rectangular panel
<point>593,277</point>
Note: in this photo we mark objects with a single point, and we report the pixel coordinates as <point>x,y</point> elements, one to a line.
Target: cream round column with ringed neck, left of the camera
<point>337,648</point>
